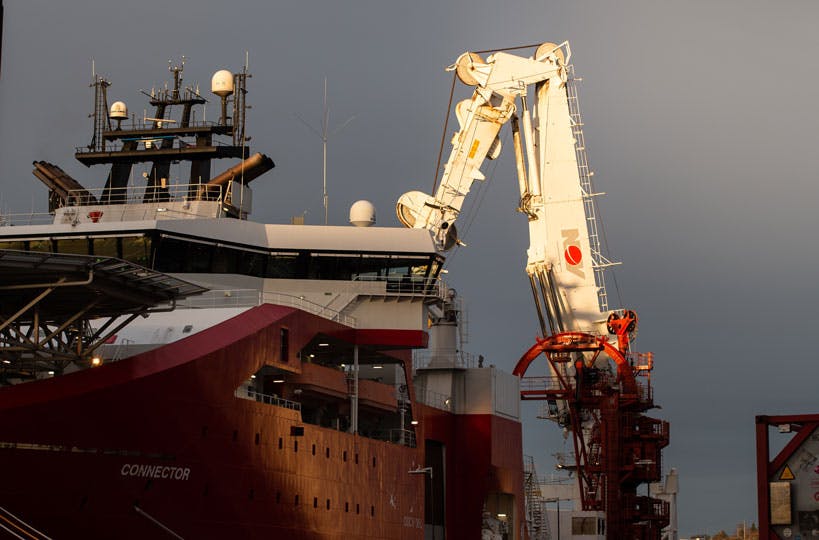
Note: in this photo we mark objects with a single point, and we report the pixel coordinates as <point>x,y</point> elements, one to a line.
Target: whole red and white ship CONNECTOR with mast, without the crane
<point>172,369</point>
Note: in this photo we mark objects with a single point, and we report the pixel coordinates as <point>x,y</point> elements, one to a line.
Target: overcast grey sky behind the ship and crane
<point>700,122</point>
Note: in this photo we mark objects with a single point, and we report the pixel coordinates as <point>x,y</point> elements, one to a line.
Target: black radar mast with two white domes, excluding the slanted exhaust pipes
<point>169,136</point>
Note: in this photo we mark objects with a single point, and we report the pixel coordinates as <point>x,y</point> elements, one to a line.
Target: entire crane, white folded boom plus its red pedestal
<point>592,388</point>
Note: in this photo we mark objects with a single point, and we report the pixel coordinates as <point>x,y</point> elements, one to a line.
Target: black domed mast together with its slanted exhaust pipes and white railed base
<point>172,135</point>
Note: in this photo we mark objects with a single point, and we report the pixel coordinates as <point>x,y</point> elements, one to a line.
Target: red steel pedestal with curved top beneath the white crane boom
<point>617,447</point>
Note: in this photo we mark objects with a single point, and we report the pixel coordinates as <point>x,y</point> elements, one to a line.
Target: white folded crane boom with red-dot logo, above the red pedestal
<point>559,258</point>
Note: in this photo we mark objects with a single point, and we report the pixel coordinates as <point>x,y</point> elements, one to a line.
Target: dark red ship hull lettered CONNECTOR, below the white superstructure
<point>158,445</point>
